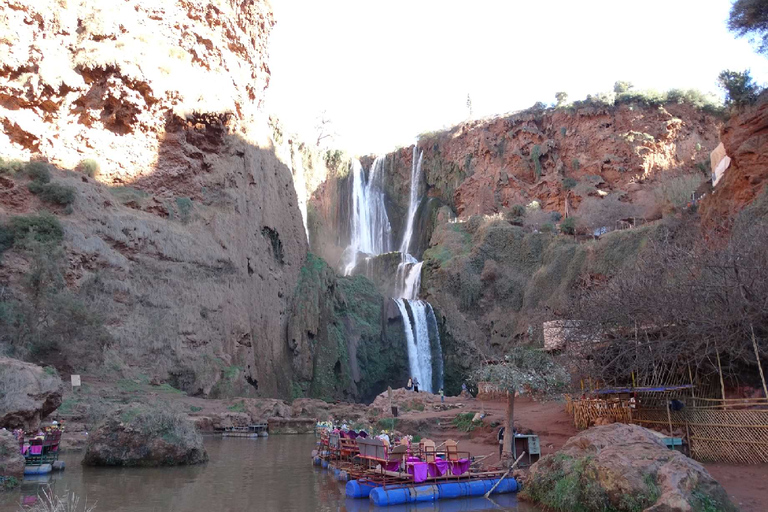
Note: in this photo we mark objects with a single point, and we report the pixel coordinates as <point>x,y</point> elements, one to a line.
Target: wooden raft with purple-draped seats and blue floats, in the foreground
<point>408,472</point>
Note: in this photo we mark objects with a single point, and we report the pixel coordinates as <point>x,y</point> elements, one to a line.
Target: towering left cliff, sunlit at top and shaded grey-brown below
<point>189,240</point>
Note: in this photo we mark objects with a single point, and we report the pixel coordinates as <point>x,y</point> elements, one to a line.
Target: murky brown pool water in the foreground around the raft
<point>264,474</point>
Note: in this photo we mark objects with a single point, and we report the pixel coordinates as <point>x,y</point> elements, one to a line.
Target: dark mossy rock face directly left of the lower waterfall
<point>344,342</point>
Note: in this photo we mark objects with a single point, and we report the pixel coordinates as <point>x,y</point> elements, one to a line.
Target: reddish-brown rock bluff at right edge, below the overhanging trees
<point>746,143</point>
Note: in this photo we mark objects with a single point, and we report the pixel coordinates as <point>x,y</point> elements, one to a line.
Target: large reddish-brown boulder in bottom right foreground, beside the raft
<point>623,468</point>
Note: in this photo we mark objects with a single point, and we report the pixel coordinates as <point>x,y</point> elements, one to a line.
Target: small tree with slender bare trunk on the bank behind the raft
<point>524,370</point>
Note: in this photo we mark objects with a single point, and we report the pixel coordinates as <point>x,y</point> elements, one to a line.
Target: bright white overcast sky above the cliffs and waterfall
<point>385,71</point>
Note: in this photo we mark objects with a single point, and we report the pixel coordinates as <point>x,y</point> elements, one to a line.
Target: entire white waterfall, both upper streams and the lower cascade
<point>371,234</point>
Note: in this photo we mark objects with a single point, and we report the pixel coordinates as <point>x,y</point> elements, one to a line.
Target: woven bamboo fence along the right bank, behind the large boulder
<point>734,430</point>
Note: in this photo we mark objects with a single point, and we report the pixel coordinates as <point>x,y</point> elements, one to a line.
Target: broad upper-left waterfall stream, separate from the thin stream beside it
<point>371,232</point>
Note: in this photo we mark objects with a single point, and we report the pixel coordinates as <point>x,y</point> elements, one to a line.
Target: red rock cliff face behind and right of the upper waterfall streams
<point>557,157</point>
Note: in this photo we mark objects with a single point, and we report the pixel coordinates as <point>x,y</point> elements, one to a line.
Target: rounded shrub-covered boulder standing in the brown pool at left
<point>140,435</point>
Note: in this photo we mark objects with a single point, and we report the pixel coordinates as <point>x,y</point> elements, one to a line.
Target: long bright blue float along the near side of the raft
<point>382,497</point>
